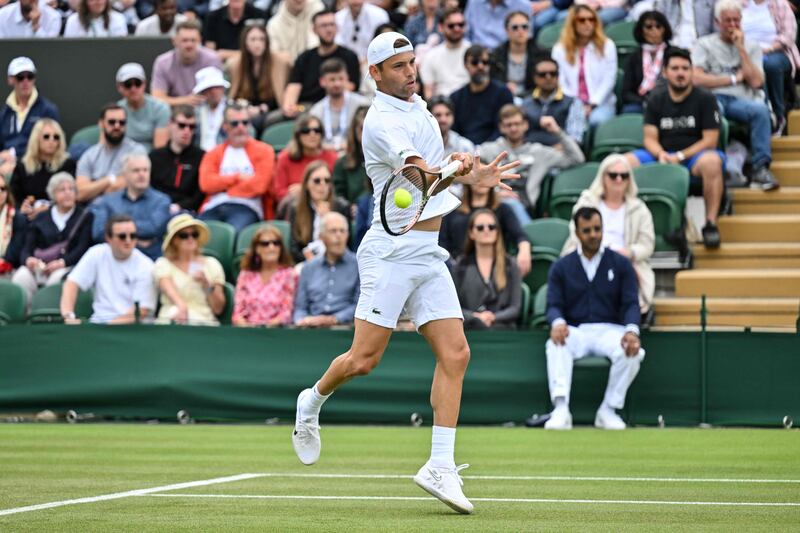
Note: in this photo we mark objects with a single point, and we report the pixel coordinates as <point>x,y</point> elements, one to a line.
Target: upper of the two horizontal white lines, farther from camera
<point>539,478</point>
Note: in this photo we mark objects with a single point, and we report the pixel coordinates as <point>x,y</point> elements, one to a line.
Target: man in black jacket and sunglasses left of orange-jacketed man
<point>176,166</point>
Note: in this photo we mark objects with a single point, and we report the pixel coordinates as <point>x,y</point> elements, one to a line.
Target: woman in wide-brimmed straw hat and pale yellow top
<point>191,284</point>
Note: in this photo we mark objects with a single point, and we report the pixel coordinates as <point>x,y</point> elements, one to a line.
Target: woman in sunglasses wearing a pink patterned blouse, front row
<point>267,283</point>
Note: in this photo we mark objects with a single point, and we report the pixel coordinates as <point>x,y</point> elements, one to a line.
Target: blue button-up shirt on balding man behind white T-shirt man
<point>150,213</point>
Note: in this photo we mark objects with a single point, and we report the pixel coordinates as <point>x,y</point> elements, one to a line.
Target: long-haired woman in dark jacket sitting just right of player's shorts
<point>487,278</point>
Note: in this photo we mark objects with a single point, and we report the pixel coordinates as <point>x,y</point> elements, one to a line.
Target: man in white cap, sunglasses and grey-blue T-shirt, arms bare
<point>147,116</point>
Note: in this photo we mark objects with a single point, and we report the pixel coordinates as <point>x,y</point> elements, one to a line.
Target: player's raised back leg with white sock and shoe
<point>369,343</point>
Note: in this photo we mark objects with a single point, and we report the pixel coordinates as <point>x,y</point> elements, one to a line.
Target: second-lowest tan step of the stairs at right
<point>739,283</point>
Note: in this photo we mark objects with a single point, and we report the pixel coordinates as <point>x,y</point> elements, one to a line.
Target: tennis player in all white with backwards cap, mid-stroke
<point>406,273</point>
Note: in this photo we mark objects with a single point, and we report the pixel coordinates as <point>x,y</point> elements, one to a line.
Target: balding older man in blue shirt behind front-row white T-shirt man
<point>148,207</point>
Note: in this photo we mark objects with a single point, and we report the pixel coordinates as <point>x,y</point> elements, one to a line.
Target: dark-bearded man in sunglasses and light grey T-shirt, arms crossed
<point>99,168</point>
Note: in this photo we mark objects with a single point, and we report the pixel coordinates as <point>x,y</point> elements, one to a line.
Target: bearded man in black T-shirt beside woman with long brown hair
<point>304,80</point>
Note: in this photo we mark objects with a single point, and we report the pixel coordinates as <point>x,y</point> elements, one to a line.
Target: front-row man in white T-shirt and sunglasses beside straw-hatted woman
<point>120,275</point>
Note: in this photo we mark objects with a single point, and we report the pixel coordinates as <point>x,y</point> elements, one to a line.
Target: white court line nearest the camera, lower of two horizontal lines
<point>501,500</point>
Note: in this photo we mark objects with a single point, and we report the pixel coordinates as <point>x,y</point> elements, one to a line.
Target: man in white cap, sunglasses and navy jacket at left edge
<point>23,107</point>
